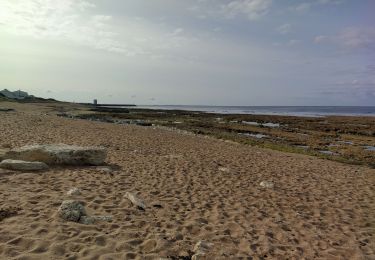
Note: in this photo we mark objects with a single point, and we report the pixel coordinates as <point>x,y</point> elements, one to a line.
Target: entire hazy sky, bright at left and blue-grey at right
<point>190,52</point>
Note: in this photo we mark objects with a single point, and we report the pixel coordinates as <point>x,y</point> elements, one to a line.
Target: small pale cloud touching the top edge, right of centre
<point>253,9</point>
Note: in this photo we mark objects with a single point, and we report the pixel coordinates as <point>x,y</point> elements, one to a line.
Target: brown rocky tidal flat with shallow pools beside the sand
<point>348,139</point>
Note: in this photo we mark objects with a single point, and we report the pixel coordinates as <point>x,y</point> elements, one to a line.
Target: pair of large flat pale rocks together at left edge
<point>38,157</point>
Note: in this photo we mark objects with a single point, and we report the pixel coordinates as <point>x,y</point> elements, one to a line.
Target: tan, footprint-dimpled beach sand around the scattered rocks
<point>194,188</point>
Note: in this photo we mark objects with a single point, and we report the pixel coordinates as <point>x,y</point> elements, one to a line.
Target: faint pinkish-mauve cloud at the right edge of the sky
<point>353,38</point>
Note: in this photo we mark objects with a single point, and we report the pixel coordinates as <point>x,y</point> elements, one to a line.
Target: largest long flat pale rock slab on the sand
<point>59,154</point>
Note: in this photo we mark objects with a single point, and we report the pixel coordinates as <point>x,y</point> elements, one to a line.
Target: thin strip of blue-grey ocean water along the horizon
<point>312,111</point>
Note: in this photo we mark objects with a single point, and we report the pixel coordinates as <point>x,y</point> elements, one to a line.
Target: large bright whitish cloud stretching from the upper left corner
<point>78,22</point>
